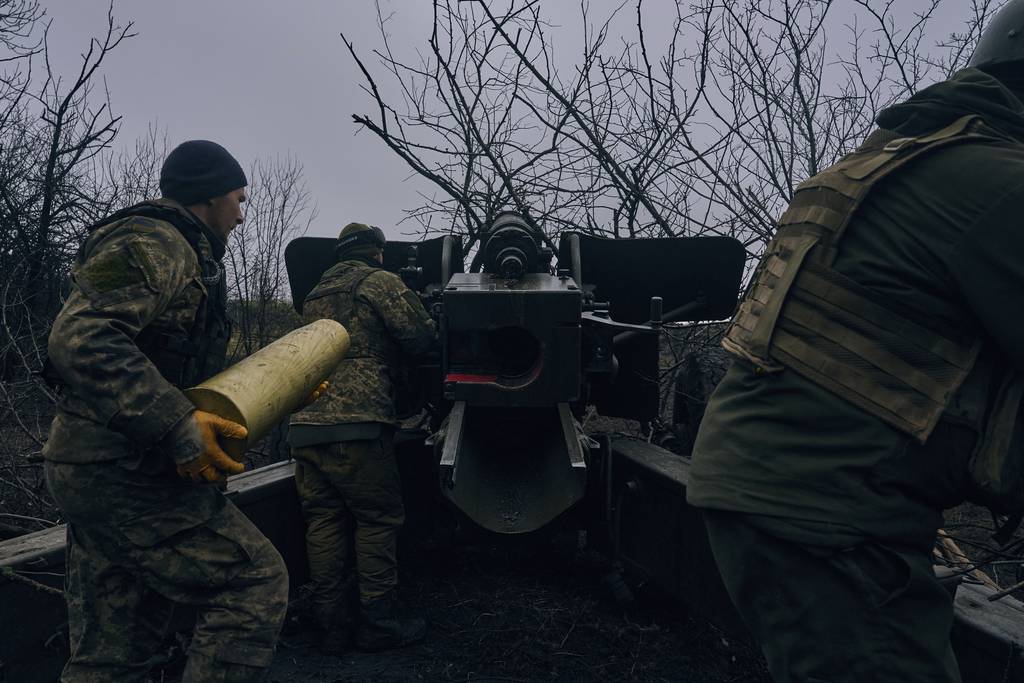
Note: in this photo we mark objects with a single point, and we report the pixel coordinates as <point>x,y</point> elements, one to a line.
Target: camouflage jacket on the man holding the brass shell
<point>132,276</point>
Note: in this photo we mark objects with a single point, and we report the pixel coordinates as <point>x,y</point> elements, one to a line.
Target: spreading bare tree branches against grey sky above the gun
<point>708,133</point>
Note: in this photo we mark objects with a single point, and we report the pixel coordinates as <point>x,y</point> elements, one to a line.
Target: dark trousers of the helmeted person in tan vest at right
<point>872,613</point>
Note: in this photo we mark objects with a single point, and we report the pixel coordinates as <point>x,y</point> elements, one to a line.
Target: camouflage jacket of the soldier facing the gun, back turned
<point>386,323</point>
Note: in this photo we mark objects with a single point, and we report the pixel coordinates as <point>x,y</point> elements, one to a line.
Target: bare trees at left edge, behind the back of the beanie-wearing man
<point>55,132</point>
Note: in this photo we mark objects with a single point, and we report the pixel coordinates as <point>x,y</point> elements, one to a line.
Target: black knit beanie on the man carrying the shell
<point>198,170</point>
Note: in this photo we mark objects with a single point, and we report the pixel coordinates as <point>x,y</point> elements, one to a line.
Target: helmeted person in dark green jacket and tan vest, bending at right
<point>877,382</point>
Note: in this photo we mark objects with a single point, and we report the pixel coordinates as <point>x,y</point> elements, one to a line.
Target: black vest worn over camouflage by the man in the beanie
<point>187,360</point>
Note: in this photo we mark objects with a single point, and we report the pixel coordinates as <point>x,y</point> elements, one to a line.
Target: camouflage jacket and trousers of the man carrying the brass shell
<point>140,538</point>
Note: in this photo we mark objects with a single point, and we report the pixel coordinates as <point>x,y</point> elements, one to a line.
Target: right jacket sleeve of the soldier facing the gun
<point>401,311</point>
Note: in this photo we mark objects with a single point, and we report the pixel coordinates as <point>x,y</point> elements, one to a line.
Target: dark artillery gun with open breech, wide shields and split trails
<point>526,350</point>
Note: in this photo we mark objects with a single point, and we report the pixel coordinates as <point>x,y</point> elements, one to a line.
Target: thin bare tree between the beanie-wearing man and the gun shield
<point>278,210</point>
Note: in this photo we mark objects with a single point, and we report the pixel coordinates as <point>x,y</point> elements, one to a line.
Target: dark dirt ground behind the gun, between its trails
<point>531,614</point>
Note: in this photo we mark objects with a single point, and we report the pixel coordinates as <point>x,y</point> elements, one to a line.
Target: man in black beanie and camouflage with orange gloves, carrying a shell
<point>133,465</point>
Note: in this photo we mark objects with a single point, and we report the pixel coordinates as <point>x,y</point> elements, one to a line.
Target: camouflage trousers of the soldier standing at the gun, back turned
<point>352,500</point>
